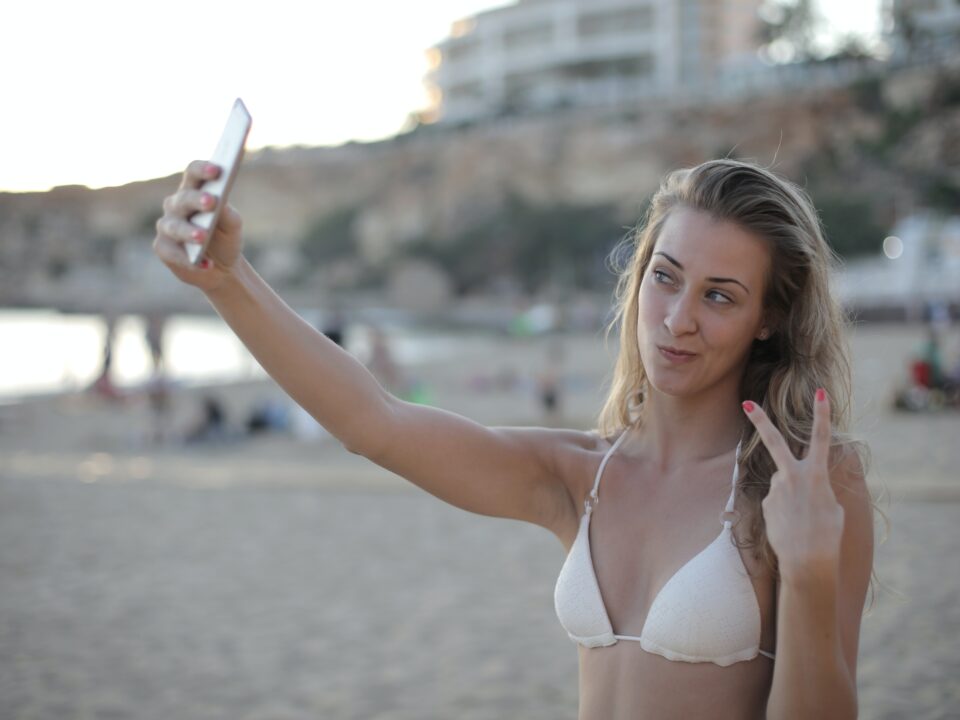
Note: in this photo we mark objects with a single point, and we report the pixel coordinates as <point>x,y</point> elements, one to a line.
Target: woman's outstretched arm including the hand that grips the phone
<point>505,472</point>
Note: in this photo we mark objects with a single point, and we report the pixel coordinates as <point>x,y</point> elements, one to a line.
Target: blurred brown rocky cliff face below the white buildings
<point>436,182</point>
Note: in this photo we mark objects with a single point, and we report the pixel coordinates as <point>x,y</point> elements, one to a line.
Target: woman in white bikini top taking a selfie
<point>732,384</point>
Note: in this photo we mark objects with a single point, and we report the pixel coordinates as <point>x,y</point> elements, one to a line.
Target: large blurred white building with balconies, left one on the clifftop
<point>542,54</point>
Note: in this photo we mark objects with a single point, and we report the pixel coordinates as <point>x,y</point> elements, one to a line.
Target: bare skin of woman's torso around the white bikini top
<point>643,529</point>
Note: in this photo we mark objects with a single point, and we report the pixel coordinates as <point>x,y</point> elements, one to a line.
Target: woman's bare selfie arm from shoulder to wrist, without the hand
<point>504,472</point>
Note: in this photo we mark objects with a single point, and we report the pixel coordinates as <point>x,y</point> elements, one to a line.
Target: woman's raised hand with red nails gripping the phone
<point>175,231</point>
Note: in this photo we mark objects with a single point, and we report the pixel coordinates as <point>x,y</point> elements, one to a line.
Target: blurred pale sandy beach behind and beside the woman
<point>279,579</point>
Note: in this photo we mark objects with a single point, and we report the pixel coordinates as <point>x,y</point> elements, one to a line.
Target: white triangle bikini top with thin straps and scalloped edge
<point>707,612</point>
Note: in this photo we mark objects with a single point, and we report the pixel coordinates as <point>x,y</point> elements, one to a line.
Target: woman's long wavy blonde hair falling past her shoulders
<point>808,346</point>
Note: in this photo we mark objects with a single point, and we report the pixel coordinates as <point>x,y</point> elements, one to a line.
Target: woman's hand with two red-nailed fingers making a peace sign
<point>804,520</point>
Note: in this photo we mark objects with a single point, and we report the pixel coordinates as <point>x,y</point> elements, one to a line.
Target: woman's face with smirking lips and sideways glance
<point>702,293</point>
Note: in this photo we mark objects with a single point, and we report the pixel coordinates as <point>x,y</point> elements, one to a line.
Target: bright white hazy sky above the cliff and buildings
<point>106,92</point>
